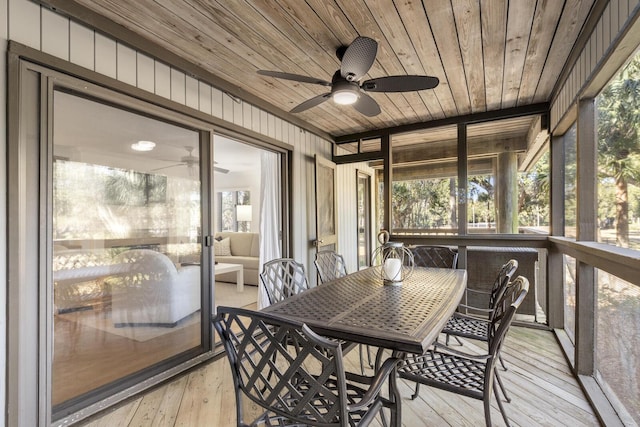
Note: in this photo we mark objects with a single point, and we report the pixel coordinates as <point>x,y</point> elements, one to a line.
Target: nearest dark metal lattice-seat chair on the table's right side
<point>468,374</point>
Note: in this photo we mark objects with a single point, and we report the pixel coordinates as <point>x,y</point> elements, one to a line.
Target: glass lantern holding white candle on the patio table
<point>395,261</point>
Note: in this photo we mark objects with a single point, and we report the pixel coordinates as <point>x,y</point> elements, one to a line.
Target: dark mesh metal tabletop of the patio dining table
<point>360,308</point>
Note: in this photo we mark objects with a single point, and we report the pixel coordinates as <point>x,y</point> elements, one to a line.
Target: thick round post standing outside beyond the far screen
<point>507,193</point>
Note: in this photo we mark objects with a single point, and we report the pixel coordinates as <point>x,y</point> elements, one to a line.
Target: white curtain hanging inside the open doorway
<point>269,216</point>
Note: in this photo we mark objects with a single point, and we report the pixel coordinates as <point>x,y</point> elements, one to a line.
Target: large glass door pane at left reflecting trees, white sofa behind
<point>126,212</point>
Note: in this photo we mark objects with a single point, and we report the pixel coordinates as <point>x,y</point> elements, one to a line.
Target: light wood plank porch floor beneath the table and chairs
<point>543,391</point>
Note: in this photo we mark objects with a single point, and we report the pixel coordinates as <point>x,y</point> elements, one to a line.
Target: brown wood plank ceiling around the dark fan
<point>488,54</point>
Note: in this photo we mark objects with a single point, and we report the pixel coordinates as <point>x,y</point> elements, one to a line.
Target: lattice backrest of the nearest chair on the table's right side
<point>504,312</point>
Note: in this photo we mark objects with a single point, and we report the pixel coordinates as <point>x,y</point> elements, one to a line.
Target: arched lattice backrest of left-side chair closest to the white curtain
<point>283,277</point>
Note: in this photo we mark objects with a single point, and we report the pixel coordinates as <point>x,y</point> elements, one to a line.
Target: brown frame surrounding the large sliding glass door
<point>30,331</point>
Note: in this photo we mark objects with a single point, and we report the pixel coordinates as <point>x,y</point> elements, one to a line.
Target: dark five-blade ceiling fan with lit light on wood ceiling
<point>346,89</point>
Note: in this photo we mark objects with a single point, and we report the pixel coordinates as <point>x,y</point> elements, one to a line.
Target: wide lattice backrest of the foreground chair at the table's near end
<point>284,368</point>
